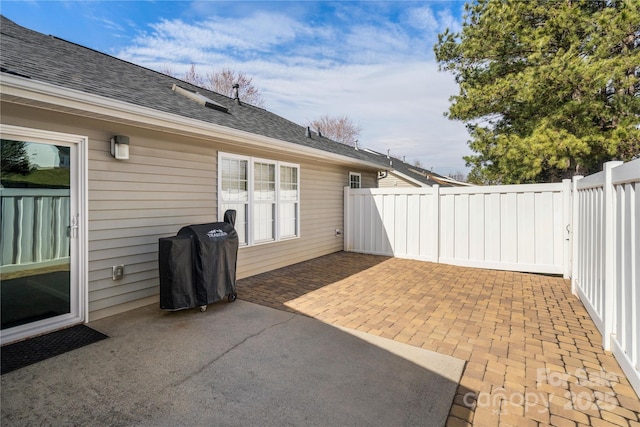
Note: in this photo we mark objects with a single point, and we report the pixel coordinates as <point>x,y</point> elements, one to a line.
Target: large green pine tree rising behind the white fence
<point>548,88</point>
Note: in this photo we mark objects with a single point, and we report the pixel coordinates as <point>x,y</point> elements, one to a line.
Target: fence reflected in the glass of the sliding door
<point>34,227</point>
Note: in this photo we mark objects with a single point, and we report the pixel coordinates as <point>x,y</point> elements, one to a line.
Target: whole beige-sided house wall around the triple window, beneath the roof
<point>171,181</point>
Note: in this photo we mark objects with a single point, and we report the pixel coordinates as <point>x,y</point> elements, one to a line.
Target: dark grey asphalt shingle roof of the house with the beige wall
<point>27,53</point>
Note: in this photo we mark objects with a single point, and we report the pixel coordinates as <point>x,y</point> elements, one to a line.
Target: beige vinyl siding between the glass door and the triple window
<point>166,184</point>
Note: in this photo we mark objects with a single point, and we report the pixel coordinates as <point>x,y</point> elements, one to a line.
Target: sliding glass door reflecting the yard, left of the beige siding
<point>39,280</point>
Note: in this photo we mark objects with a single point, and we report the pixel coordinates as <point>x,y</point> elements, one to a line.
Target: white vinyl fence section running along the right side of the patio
<point>606,256</point>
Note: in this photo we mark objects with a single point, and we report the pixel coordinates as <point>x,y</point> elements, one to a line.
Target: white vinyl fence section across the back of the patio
<point>511,227</point>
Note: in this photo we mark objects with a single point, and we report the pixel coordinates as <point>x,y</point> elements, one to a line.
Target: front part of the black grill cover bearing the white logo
<point>214,255</point>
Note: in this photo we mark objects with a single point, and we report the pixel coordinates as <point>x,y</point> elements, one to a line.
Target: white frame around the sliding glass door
<point>79,246</point>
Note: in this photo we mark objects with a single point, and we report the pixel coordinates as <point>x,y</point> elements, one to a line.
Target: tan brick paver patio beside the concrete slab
<point>534,357</point>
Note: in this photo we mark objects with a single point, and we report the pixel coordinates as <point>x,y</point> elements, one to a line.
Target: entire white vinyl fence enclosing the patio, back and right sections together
<point>587,230</point>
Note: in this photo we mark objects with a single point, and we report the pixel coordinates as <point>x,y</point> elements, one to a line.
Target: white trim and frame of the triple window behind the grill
<point>251,202</point>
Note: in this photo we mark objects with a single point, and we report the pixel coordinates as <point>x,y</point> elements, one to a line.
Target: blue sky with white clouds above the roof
<point>370,60</point>
